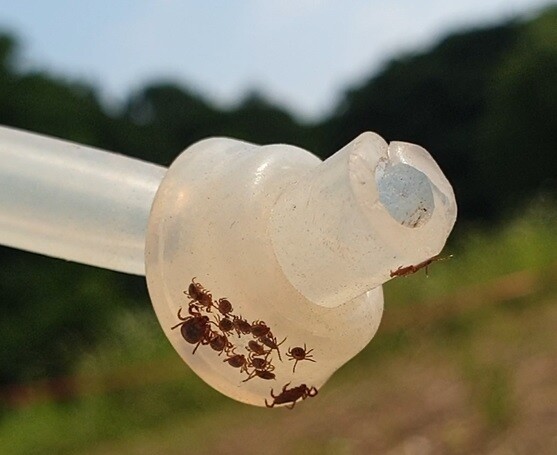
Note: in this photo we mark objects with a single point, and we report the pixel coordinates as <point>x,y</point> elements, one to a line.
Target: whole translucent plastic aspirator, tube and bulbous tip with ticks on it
<point>264,264</point>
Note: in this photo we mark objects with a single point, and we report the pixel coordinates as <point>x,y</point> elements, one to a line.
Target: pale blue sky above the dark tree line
<point>301,53</point>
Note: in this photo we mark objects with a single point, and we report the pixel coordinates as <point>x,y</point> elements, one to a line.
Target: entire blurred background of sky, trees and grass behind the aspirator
<point>464,360</point>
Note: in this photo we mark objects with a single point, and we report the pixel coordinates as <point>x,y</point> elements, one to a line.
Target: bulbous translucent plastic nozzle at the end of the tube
<point>300,244</point>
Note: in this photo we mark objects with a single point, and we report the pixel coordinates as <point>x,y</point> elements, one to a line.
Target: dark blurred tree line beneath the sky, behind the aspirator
<point>482,101</point>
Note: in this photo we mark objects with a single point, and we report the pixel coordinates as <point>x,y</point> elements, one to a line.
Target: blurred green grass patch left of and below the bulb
<point>151,385</point>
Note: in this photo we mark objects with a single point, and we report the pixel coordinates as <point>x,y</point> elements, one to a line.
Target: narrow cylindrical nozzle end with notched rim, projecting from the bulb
<point>367,210</point>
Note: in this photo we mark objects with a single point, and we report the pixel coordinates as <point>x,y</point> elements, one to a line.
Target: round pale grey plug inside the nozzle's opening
<point>406,193</point>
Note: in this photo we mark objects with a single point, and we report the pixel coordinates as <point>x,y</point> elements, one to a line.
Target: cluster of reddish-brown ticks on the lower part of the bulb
<point>213,323</point>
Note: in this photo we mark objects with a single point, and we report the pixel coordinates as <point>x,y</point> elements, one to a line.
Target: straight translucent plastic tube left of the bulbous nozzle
<point>75,202</point>
